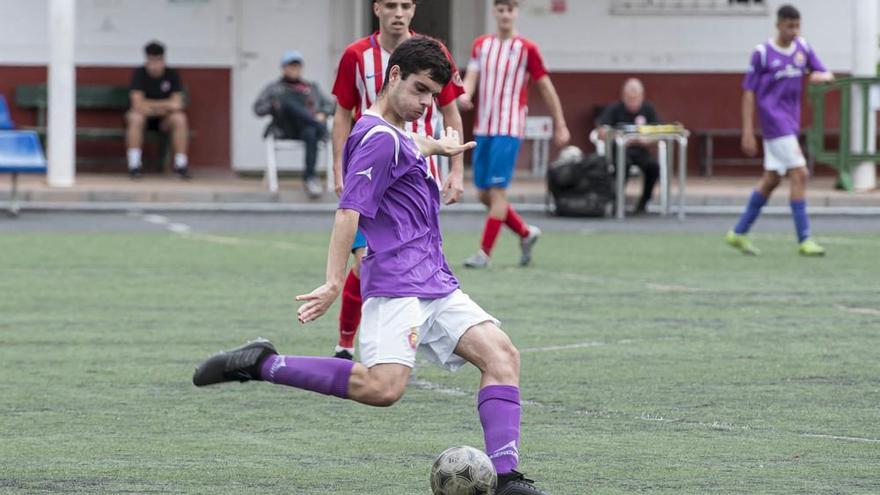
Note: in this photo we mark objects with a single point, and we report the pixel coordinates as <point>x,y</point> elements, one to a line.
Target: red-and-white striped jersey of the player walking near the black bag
<point>502,93</point>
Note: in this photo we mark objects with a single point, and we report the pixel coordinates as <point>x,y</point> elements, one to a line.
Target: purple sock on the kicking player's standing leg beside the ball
<point>499,413</point>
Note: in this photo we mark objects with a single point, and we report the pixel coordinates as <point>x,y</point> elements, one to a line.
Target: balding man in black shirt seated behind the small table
<point>633,109</point>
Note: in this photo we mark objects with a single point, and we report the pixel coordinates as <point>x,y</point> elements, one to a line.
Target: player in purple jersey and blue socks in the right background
<point>775,80</point>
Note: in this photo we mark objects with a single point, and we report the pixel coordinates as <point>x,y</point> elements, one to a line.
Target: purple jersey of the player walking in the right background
<point>776,76</point>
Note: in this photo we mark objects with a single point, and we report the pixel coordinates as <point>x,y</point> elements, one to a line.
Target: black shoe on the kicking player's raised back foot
<point>240,364</point>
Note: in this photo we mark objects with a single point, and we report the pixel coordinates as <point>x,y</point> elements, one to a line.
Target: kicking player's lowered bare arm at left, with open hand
<point>319,300</point>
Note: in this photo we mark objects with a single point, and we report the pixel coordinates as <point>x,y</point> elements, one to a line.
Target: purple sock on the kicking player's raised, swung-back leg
<point>328,376</point>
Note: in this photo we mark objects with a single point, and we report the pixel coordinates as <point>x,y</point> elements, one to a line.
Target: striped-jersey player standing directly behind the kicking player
<point>359,79</point>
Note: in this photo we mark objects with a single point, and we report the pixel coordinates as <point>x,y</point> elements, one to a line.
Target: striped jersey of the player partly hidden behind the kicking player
<point>360,77</point>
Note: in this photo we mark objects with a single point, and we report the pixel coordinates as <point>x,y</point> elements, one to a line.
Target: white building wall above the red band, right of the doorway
<point>589,38</point>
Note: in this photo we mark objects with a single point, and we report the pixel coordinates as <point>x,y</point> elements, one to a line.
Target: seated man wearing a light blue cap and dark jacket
<point>299,111</point>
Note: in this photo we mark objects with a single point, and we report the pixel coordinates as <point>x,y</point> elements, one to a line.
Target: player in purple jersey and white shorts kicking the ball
<point>412,301</point>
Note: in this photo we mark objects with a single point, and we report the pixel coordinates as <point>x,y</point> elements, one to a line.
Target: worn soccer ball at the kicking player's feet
<point>463,471</point>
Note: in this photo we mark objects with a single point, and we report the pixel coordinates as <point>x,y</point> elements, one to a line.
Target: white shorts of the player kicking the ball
<point>394,328</point>
